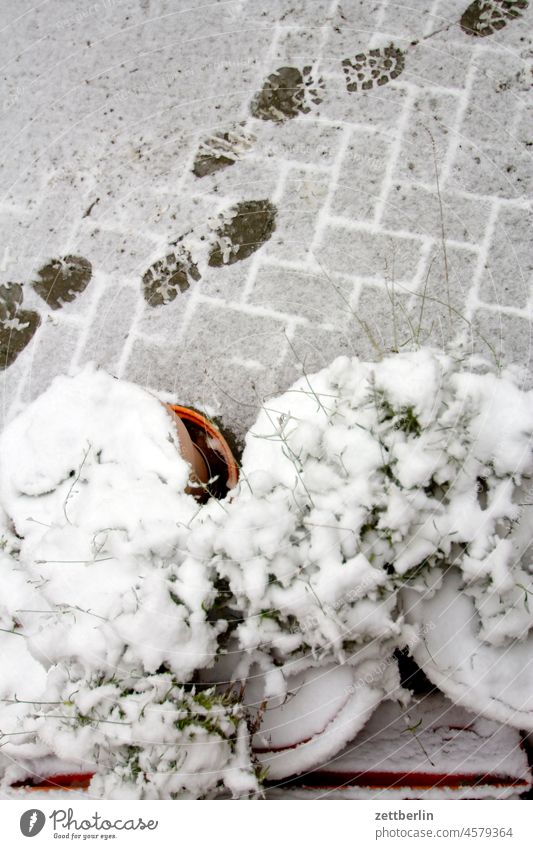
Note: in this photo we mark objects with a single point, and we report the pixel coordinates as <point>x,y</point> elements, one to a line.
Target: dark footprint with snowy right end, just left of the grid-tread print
<point>286,93</point>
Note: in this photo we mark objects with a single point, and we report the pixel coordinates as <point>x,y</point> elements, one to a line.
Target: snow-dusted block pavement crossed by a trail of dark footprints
<point>211,198</point>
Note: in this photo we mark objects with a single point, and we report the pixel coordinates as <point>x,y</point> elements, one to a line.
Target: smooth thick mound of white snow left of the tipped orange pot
<point>93,484</point>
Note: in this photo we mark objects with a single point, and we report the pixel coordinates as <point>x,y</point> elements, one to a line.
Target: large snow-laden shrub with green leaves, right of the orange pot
<point>363,479</point>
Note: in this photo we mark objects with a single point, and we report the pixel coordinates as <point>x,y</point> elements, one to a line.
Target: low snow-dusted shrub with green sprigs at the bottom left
<point>147,736</point>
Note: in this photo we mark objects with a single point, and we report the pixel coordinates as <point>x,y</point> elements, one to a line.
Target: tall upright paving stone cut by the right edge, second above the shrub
<point>508,273</point>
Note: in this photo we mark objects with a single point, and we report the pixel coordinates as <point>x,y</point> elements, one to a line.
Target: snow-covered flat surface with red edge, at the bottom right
<point>431,736</point>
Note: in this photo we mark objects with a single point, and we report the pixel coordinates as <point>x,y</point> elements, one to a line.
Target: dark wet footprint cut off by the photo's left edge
<point>17,326</point>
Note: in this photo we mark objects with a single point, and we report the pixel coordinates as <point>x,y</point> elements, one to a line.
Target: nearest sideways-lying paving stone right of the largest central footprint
<point>368,254</point>
